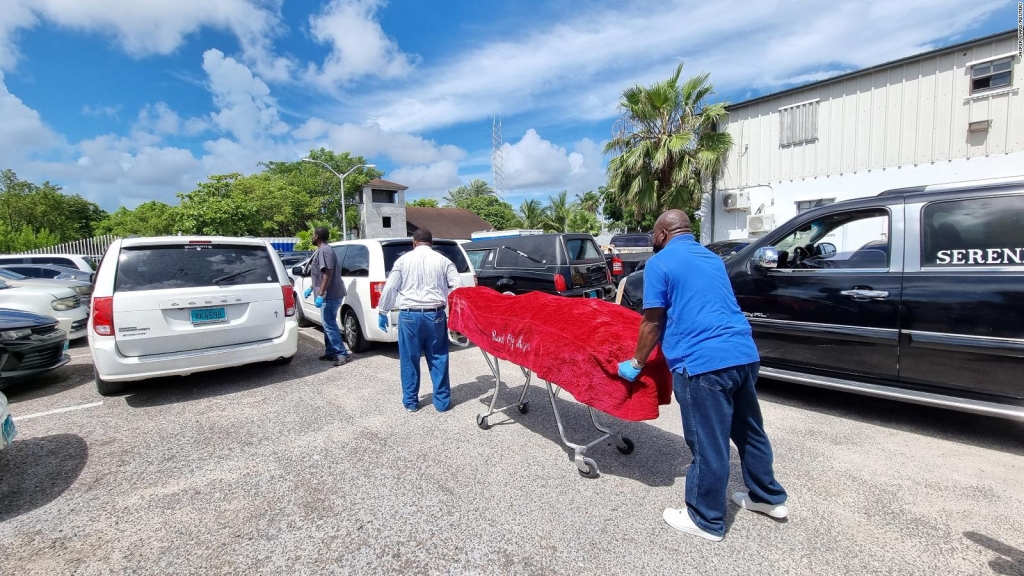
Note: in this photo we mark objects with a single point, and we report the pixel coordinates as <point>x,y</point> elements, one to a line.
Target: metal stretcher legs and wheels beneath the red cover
<point>585,466</point>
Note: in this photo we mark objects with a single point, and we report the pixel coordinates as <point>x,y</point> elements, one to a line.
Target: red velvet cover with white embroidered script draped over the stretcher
<point>576,344</point>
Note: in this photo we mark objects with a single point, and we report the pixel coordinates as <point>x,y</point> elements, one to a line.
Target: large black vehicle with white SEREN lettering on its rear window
<point>916,295</point>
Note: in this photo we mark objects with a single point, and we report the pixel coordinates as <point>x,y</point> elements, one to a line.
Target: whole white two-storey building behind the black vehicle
<point>949,115</point>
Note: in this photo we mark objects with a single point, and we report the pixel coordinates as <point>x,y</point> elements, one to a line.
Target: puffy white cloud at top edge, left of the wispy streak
<point>359,46</point>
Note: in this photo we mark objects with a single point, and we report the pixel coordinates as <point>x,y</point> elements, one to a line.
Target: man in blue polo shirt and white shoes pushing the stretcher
<point>691,309</point>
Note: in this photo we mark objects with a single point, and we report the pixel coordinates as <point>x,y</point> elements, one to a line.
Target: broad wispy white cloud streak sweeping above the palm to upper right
<point>578,67</point>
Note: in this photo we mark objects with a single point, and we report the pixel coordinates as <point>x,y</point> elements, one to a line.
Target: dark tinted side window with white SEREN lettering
<point>973,232</point>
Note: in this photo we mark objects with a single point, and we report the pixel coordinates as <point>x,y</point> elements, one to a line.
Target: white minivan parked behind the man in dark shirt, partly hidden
<point>365,266</point>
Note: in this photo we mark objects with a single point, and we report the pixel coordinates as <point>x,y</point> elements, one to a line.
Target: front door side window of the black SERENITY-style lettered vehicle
<point>858,240</point>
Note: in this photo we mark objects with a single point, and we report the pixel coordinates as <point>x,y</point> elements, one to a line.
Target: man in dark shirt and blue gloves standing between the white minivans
<point>330,294</point>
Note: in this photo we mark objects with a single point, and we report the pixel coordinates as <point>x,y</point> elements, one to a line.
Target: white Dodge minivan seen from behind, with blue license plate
<point>176,306</point>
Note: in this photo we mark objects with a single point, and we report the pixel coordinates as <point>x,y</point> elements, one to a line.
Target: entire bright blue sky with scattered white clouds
<point>129,102</point>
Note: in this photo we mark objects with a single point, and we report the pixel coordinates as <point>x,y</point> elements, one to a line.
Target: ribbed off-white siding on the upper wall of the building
<point>913,113</point>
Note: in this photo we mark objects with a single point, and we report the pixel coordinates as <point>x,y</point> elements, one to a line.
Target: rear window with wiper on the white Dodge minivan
<point>190,266</point>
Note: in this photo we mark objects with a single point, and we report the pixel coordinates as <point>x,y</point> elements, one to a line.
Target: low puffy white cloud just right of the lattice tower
<point>535,163</point>
